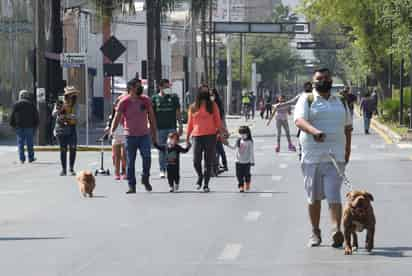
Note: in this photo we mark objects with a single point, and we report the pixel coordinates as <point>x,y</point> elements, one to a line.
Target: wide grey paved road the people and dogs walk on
<point>46,228</point>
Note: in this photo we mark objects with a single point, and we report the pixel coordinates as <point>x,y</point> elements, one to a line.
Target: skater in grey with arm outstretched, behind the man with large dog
<point>281,114</point>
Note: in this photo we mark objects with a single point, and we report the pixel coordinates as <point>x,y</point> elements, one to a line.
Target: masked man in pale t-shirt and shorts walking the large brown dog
<point>326,125</point>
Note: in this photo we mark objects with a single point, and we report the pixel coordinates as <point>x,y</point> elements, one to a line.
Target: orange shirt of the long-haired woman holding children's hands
<point>203,123</point>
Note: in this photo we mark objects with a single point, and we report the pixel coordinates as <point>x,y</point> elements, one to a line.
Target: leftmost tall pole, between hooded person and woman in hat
<point>39,89</point>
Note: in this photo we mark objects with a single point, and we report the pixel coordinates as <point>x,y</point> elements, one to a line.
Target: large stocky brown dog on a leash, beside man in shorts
<point>358,215</point>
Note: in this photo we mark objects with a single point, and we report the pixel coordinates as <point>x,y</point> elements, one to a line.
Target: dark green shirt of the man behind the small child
<point>165,108</point>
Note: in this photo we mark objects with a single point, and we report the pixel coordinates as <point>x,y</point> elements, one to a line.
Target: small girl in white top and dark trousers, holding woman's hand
<point>245,158</point>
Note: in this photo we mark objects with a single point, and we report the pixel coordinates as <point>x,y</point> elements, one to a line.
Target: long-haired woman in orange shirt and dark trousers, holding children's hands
<point>204,123</point>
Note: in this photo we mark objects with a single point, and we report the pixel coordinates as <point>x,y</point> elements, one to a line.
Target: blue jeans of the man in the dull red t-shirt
<point>143,144</point>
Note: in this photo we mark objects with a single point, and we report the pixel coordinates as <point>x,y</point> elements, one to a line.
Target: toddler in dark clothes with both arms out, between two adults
<point>172,151</point>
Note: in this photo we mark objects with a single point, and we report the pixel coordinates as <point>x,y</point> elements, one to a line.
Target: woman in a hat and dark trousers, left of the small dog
<point>65,130</point>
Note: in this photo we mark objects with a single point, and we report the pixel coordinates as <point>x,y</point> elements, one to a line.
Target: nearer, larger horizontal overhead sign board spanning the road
<point>259,27</point>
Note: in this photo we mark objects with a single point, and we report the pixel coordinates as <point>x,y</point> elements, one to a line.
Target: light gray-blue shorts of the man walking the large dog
<point>323,181</point>
